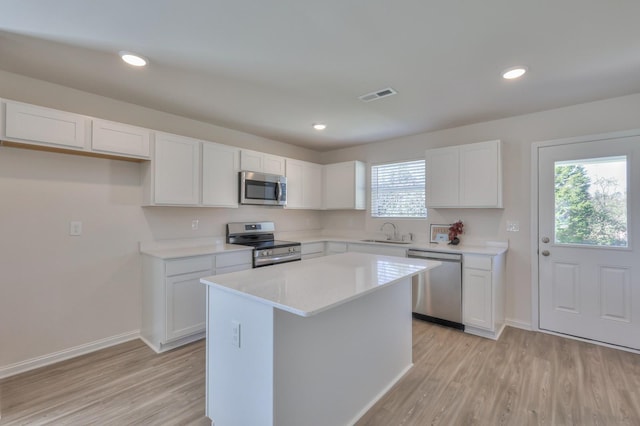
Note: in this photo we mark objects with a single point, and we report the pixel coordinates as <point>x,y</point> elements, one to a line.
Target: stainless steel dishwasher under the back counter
<point>437,293</point>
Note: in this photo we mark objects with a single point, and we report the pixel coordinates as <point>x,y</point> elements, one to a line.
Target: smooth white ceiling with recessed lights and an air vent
<point>272,68</point>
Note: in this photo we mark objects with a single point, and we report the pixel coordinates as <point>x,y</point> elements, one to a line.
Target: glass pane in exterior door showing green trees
<point>591,202</point>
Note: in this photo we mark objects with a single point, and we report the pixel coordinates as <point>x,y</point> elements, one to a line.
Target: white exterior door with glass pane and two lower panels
<point>588,256</point>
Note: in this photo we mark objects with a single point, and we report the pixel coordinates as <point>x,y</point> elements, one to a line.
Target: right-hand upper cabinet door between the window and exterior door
<point>480,175</point>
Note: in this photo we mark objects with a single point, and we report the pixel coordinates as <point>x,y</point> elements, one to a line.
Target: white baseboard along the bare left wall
<point>41,361</point>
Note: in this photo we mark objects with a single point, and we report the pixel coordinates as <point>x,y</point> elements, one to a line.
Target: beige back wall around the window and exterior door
<point>518,133</point>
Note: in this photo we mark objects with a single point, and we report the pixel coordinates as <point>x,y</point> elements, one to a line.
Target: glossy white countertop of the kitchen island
<point>311,286</point>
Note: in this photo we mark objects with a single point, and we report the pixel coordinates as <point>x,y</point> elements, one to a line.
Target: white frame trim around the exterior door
<point>535,149</point>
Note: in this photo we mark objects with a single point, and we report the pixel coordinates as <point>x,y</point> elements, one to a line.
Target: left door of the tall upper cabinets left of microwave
<point>176,170</point>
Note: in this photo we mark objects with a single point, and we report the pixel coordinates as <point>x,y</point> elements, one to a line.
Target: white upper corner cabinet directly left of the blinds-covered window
<point>344,186</point>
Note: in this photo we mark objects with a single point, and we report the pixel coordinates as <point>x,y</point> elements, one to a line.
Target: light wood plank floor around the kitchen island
<point>526,378</point>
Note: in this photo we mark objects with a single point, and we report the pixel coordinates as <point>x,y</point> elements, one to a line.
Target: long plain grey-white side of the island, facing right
<point>332,367</point>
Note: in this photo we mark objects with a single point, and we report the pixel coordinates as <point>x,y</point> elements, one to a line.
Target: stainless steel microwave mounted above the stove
<point>263,189</point>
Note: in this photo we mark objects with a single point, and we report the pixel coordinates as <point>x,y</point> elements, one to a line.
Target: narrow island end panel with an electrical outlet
<point>239,380</point>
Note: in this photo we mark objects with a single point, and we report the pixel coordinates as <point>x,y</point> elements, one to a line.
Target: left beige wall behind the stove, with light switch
<point>59,292</point>
